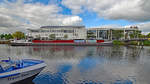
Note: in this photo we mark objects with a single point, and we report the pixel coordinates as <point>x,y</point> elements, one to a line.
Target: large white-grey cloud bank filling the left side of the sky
<point>20,16</point>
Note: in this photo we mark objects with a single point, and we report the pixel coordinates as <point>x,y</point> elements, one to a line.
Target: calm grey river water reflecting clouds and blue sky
<point>86,64</point>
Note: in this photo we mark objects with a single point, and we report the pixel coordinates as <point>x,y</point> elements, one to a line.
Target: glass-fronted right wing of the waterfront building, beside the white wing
<point>112,33</point>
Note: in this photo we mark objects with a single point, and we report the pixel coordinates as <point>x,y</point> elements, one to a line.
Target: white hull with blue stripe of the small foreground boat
<point>21,74</point>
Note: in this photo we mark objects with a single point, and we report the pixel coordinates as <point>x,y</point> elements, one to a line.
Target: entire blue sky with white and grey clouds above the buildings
<point>23,14</point>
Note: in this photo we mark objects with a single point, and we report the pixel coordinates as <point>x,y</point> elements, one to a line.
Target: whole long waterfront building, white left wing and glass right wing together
<point>80,32</point>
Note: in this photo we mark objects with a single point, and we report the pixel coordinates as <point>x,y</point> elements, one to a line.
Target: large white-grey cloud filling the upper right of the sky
<point>132,10</point>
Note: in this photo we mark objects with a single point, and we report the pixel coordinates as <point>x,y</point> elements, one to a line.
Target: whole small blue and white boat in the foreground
<point>13,71</point>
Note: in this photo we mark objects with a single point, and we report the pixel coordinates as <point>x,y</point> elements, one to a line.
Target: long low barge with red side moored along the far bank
<point>62,43</point>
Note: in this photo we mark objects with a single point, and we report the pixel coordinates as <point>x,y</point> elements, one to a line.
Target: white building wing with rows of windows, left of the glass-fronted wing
<point>60,32</point>
